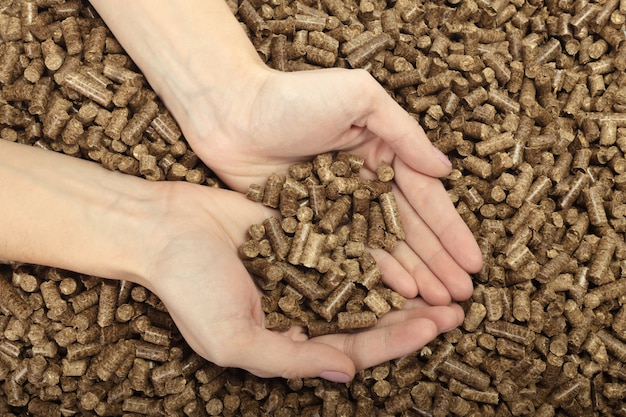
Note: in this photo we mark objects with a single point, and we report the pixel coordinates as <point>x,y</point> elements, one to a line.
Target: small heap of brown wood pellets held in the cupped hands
<point>313,264</point>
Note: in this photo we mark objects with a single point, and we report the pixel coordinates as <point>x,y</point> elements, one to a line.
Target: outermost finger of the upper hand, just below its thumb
<point>428,197</point>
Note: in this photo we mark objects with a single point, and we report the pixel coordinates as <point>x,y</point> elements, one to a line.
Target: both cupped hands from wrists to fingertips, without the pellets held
<point>272,121</point>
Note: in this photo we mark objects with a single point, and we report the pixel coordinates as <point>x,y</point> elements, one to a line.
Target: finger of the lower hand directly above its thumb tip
<point>379,344</point>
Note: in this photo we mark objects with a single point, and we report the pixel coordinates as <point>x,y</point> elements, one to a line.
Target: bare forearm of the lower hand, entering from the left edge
<point>72,214</point>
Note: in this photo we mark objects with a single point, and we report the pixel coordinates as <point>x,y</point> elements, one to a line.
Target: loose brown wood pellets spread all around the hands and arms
<point>527,98</point>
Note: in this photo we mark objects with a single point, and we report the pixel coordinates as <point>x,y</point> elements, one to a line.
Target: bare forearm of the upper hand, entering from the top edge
<point>194,53</point>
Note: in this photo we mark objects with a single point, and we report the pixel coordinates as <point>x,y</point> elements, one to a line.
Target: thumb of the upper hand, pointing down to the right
<point>389,121</point>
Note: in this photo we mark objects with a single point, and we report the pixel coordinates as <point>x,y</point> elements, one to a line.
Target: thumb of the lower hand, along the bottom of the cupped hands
<point>269,354</point>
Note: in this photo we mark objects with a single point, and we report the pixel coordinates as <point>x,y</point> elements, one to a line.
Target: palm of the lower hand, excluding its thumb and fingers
<point>198,274</point>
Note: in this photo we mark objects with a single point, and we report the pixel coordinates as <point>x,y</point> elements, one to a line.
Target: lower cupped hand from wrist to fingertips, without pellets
<point>197,274</point>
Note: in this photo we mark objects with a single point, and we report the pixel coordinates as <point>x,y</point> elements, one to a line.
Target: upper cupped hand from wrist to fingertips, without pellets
<point>275,119</point>
